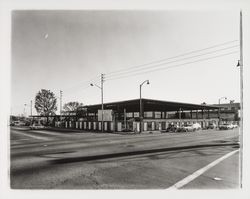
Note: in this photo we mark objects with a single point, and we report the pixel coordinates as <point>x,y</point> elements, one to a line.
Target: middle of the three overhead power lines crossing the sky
<point>159,64</point>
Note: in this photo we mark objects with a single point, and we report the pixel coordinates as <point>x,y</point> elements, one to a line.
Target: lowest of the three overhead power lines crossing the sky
<point>173,66</point>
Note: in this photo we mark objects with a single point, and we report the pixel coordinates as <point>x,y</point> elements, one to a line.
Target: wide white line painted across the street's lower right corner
<point>199,172</point>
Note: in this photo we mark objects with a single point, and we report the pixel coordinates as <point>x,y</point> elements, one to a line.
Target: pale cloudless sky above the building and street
<point>66,50</point>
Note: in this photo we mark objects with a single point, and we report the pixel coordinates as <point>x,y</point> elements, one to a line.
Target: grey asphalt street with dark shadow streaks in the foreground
<point>46,159</point>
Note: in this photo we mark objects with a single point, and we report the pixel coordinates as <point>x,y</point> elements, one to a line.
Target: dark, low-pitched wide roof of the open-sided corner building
<point>148,105</point>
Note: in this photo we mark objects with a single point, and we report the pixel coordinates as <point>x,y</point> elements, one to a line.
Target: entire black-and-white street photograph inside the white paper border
<point>126,99</point>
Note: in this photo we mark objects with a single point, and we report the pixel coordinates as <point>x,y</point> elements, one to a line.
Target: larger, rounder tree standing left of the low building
<point>45,103</point>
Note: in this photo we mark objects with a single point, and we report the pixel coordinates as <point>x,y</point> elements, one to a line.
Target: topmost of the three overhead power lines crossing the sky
<point>164,59</point>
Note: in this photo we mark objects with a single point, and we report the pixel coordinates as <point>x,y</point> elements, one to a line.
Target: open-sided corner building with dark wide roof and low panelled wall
<point>125,115</point>
